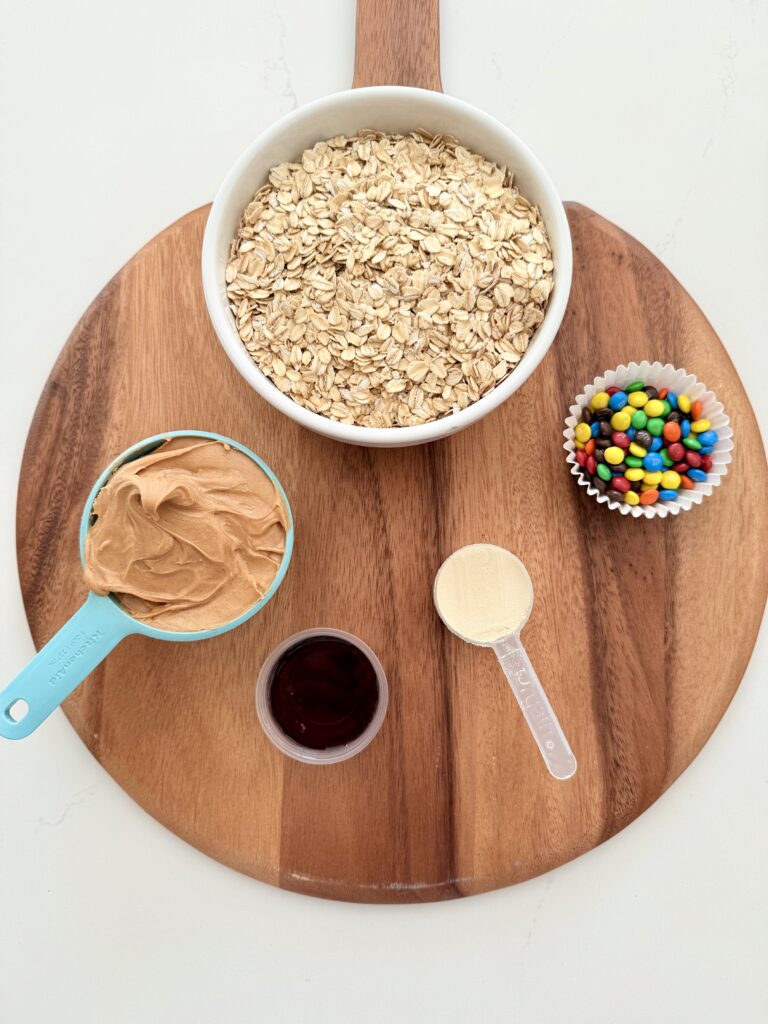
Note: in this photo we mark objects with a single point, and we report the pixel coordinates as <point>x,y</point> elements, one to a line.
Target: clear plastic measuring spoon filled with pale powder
<point>484,594</point>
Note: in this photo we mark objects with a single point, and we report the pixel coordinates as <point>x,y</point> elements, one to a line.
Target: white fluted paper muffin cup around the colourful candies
<point>680,382</point>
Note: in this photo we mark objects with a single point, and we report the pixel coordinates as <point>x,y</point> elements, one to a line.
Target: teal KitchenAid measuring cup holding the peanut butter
<point>102,623</point>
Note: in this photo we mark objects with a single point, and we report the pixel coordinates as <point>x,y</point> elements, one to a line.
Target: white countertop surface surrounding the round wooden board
<point>117,119</point>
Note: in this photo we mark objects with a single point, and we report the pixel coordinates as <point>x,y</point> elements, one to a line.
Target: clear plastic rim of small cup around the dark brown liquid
<point>308,755</point>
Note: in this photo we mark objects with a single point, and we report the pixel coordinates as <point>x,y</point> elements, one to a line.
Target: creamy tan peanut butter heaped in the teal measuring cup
<point>189,537</point>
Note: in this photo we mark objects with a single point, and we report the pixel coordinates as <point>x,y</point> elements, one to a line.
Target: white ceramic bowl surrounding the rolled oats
<point>393,109</point>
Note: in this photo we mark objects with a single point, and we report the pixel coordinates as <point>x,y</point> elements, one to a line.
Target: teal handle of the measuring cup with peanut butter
<point>62,665</point>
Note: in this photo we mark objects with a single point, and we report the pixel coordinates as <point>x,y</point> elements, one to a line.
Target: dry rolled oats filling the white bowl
<point>389,280</point>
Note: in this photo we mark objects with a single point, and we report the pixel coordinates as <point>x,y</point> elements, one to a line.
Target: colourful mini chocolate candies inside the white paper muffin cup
<point>643,445</point>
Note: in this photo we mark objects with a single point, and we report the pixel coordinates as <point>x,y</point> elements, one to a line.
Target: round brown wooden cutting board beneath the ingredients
<point>642,630</point>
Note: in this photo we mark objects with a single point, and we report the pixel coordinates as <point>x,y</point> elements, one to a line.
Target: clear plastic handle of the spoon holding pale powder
<point>536,708</point>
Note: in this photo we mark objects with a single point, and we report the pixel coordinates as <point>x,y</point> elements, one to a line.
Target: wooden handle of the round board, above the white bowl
<point>398,42</point>
